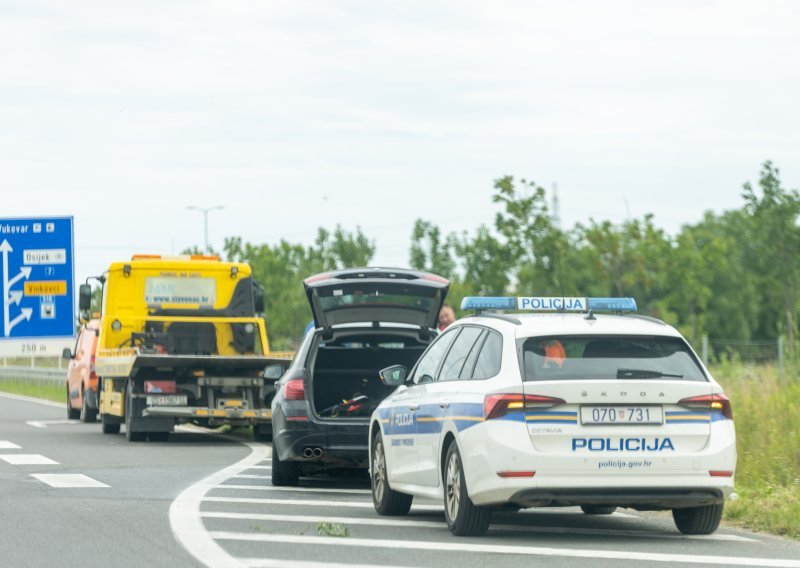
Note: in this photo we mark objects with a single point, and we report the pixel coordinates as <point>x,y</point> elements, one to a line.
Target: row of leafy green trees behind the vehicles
<point>731,275</point>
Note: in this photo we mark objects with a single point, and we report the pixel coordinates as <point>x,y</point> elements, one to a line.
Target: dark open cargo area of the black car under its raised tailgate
<point>344,379</point>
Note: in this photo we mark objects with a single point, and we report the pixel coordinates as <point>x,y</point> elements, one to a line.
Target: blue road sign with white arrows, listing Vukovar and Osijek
<point>37,270</point>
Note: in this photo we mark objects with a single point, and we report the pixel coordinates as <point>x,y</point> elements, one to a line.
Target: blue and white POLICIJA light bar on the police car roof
<point>549,304</point>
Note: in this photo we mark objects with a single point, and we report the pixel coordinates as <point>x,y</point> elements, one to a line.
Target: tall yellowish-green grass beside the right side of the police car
<point>766,410</point>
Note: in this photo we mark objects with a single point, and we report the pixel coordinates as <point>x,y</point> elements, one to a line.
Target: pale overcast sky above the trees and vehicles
<point>295,115</point>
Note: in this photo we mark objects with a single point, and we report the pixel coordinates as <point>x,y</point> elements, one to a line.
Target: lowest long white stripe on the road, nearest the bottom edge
<point>461,546</point>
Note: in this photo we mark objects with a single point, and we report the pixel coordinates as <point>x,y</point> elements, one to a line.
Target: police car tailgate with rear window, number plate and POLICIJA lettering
<point>611,396</point>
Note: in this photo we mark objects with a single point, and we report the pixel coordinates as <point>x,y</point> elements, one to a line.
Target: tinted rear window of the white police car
<point>607,358</point>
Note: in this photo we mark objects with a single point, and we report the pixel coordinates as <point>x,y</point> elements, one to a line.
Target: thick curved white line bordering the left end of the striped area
<point>184,513</point>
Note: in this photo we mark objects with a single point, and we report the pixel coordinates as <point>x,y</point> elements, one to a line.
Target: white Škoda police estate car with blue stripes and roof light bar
<point>568,408</point>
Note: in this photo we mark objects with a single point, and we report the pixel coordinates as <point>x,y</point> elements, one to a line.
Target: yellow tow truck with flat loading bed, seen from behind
<point>180,341</point>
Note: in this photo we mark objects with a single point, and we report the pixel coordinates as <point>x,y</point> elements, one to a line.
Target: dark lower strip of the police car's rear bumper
<point>640,498</point>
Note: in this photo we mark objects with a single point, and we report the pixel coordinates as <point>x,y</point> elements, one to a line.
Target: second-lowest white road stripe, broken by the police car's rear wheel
<point>441,525</point>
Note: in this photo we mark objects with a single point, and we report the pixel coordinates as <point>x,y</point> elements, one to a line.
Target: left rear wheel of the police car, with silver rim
<point>463,517</point>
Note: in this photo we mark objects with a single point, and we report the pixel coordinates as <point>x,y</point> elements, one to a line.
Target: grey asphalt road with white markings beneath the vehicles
<point>71,496</point>
